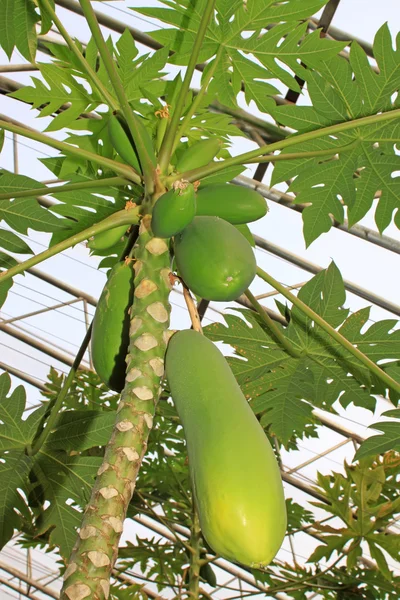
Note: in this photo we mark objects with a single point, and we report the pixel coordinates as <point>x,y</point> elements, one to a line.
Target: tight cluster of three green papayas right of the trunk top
<point>214,258</point>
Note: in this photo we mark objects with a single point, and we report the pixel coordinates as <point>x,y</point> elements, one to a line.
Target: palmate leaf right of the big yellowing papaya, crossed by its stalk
<point>278,384</point>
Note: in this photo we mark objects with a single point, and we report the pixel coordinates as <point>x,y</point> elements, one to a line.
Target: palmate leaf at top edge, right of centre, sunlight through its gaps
<point>285,41</point>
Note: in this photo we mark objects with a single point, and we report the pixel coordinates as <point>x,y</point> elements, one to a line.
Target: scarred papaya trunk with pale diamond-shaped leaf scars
<point>95,552</point>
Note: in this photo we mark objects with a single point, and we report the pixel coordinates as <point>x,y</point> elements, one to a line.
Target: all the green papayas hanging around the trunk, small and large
<point>235,477</point>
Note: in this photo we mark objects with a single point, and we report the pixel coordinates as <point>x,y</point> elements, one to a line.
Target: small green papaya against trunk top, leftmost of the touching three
<point>173,211</point>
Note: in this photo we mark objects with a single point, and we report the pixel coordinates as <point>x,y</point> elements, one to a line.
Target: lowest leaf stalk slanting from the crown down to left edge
<point>122,217</point>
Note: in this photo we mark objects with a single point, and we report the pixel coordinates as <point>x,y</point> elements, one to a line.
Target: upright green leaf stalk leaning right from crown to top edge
<point>169,138</point>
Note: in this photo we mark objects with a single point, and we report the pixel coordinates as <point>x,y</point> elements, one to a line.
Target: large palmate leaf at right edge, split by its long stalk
<point>342,91</point>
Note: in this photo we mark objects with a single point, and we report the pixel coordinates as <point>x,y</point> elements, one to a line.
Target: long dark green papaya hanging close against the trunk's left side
<point>110,331</point>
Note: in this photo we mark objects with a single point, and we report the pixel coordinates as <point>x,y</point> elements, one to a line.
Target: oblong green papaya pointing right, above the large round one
<point>233,203</point>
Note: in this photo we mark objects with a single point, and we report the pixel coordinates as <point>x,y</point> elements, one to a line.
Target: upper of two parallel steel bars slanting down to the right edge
<point>366,234</point>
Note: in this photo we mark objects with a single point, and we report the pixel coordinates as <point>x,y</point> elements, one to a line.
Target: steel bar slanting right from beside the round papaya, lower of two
<point>306,265</point>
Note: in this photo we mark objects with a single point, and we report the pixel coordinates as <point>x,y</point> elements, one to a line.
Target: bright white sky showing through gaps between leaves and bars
<point>360,262</point>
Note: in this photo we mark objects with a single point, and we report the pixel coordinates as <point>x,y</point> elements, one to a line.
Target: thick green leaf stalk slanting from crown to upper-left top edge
<point>146,164</point>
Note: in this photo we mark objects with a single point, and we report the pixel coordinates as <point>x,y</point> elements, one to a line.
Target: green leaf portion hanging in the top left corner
<point>17,27</point>
